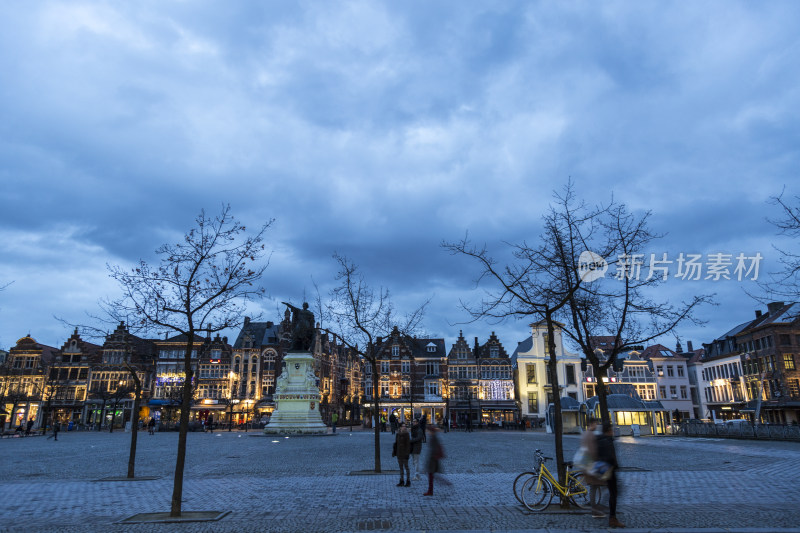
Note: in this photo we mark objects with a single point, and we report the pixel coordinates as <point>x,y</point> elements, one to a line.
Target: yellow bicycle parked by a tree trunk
<point>539,489</point>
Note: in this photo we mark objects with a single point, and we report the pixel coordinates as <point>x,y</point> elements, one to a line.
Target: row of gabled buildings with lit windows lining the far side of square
<point>471,383</point>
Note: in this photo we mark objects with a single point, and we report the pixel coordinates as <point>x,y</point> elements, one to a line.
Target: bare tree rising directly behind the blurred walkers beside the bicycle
<point>621,306</point>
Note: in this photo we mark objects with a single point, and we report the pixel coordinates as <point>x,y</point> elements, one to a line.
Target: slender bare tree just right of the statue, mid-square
<point>362,315</point>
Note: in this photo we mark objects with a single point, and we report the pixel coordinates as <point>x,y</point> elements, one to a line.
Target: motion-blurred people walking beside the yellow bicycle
<point>600,468</point>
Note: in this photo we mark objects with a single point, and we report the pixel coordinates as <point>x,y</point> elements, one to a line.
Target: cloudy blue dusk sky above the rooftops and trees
<point>380,129</point>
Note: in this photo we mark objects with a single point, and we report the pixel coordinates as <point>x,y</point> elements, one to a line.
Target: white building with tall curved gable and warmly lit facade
<point>531,378</point>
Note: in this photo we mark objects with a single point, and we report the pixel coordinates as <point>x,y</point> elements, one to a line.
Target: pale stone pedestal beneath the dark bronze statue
<point>297,399</point>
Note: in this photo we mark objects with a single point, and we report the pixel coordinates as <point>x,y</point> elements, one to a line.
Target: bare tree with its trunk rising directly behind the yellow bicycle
<point>532,284</point>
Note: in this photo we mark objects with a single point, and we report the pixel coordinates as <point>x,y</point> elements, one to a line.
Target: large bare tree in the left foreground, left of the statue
<point>201,283</point>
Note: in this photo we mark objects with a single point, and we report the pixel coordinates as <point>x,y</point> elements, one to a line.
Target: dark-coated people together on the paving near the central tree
<point>408,444</point>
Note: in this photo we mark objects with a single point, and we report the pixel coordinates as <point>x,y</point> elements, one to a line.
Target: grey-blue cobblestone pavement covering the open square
<point>313,484</point>
